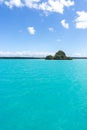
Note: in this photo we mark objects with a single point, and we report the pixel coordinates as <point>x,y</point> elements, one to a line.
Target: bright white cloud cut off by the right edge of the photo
<point>81,20</point>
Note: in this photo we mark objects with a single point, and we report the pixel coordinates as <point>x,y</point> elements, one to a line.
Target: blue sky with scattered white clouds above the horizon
<point>41,27</point>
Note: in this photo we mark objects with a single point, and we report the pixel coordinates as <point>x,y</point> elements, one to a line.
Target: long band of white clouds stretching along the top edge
<point>47,6</point>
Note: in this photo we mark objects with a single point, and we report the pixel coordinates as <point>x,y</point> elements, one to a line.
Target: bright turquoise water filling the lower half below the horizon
<point>43,95</point>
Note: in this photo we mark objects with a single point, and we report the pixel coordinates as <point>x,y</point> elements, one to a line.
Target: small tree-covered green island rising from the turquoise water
<point>60,55</point>
